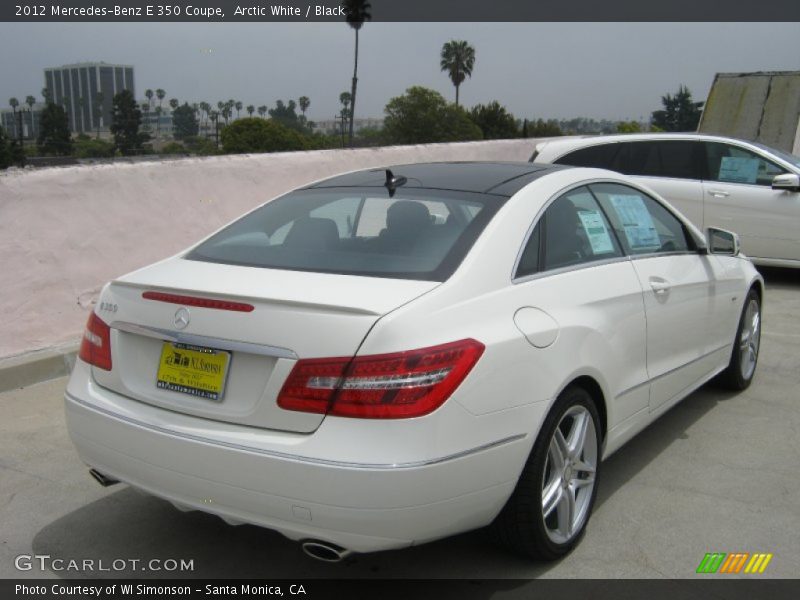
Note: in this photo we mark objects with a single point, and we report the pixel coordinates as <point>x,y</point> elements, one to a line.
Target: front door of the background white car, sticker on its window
<point>738,197</point>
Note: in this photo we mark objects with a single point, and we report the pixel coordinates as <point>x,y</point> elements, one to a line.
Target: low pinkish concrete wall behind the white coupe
<point>64,232</point>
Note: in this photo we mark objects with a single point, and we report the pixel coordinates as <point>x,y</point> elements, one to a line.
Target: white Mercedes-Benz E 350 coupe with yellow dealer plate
<point>392,356</point>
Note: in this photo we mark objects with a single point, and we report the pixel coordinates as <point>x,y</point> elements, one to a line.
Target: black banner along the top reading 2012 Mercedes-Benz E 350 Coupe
<point>402,10</point>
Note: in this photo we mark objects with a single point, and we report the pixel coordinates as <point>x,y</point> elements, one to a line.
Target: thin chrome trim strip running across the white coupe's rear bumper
<point>294,457</point>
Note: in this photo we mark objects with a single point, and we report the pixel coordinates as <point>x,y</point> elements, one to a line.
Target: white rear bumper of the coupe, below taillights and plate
<point>359,507</point>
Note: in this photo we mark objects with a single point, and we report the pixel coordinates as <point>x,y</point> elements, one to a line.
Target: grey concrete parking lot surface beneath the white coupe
<point>718,473</point>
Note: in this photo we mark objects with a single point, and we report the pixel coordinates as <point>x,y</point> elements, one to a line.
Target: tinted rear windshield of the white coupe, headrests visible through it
<point>417,234</point>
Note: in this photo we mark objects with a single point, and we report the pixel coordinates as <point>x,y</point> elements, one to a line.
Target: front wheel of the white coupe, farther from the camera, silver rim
<point>744,357</point>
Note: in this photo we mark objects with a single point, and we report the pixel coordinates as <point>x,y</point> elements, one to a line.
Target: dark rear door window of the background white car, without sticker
<point>668,158</point>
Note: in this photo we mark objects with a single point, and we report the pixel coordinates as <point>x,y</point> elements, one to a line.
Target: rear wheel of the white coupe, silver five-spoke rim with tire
<point>522,525</point>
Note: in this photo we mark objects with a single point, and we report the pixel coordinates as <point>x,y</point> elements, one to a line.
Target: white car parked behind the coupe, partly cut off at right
<point>716,181</point>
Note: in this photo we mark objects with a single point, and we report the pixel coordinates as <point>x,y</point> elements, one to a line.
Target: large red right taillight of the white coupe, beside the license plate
<point>383,386</point>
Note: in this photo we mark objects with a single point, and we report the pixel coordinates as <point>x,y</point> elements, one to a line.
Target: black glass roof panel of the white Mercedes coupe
<point>498,178</point>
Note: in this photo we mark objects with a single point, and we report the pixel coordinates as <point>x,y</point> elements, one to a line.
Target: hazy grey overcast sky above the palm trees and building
<point>600,70</point>
